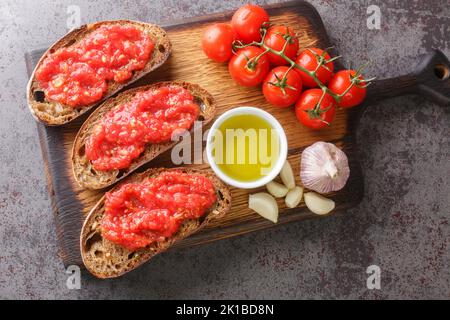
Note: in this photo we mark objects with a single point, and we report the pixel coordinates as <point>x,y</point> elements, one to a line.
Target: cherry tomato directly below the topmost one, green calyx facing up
<point>245,70</point>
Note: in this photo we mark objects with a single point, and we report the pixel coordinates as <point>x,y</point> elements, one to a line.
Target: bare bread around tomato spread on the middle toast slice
<point>83,171</point>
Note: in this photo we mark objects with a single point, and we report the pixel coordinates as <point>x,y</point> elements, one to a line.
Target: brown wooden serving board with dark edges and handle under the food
<point>71,203</point>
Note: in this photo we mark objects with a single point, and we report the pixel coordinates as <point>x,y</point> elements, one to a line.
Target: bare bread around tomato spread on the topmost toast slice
<point>53,113</point>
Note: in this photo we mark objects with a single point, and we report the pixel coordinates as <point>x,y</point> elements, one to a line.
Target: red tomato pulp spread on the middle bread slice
<point>151,116</point>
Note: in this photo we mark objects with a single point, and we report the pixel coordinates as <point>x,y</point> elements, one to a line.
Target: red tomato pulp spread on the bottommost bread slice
<point>138,214</point>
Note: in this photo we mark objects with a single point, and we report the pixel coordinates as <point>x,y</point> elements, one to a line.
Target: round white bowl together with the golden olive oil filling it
<point>245,147</point>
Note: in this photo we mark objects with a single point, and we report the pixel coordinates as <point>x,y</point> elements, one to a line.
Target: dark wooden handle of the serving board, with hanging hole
<point>430,78</point>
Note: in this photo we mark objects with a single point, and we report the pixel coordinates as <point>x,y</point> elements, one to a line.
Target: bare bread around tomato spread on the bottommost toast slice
<point>105,259</point>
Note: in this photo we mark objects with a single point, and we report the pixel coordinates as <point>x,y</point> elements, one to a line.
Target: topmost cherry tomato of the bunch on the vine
<point>247,21</point>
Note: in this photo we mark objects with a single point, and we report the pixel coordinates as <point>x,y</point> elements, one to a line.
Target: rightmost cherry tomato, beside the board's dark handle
<point>341,81</point>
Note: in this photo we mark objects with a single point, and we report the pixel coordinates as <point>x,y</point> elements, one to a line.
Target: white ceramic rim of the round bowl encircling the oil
<point>282,142</point>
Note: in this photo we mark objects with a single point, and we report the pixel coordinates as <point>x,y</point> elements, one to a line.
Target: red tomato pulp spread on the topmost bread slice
<point>77,75</point>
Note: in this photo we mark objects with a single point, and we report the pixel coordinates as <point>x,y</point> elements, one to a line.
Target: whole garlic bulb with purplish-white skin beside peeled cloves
<point>324,167</point>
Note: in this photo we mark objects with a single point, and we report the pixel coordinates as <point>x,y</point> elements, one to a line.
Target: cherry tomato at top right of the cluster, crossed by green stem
<point>276,38</point>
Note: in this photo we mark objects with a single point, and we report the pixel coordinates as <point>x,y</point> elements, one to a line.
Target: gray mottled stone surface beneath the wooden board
<point>402,225</point>
